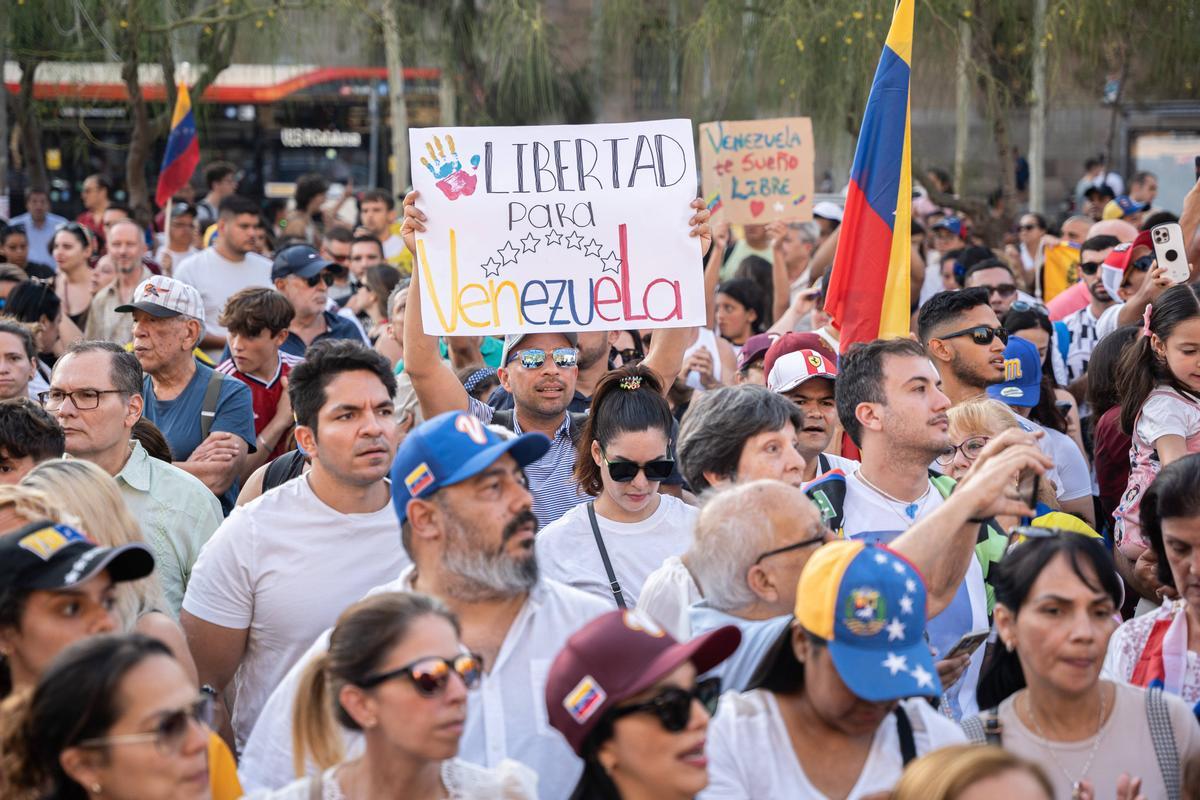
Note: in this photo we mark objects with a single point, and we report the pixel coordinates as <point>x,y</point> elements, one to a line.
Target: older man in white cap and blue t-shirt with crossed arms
<point>208,420</point>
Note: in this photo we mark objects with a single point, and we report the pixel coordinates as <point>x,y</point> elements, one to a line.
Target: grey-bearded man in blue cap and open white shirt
<point>465,509</point>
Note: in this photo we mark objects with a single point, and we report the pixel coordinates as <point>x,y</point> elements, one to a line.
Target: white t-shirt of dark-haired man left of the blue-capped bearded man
<point>285,567</point>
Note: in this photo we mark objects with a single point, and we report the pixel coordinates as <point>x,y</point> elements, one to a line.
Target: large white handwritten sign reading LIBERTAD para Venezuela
<point>559,227</point>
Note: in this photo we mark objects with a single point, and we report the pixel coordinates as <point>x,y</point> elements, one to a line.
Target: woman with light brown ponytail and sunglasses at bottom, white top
<point>398,673</point>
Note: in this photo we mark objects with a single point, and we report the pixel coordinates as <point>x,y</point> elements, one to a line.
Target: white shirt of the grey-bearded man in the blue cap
<point>506,714</point>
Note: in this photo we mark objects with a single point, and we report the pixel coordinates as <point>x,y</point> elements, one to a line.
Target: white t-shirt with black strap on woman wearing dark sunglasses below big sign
<point>568,551</point>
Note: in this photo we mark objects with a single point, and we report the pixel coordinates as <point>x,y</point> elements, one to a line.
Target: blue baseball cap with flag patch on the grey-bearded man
<point>448,450</point>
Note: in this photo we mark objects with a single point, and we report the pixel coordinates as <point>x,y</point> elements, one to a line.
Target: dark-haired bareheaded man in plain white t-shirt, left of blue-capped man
<point>281,569</point>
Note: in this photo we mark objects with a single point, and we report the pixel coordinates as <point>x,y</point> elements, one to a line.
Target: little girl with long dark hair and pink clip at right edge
<point>1159,381</point>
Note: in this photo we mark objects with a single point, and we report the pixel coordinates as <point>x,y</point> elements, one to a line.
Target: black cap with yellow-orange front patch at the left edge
<point>51,557</point>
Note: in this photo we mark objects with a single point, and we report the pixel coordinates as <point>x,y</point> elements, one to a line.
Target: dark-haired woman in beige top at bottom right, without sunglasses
<point>1057,601</point>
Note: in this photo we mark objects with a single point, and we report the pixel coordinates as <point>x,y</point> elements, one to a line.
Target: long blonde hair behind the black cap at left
<point>87,492</point>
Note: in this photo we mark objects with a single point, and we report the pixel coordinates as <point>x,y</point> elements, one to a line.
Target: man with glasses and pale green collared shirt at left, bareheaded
<point>97,395</point>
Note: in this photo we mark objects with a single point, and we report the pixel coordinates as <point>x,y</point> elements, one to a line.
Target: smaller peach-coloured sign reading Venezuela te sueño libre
<point>758,171</point>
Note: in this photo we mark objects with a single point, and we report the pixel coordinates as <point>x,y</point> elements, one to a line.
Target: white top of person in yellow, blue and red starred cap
<point>751,753</point>
